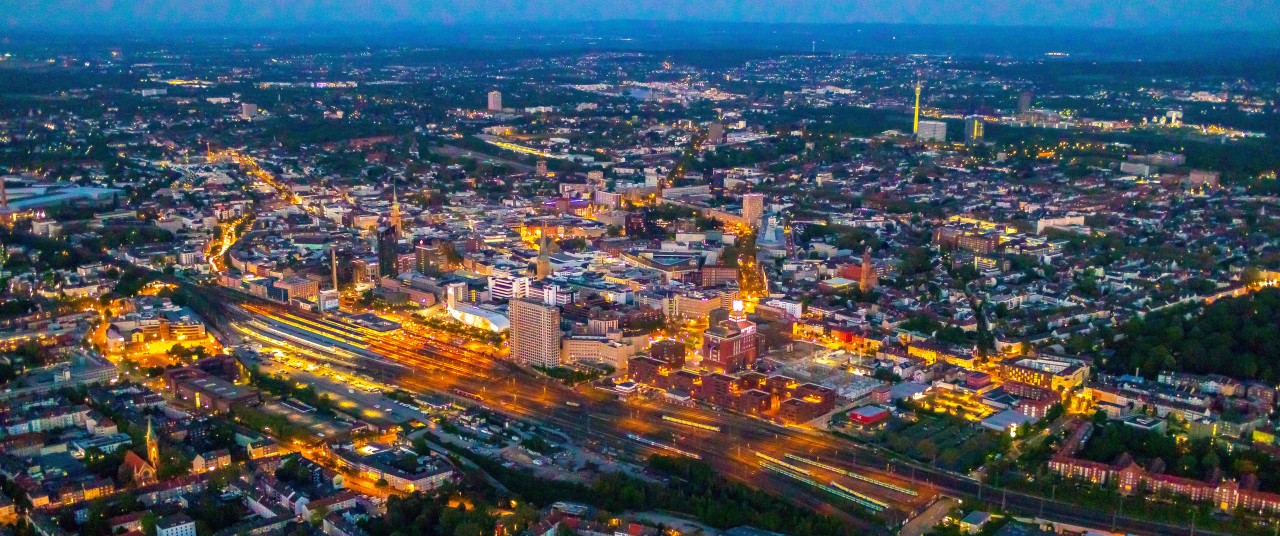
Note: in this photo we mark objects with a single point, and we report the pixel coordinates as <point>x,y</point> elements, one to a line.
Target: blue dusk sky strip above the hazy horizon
<point>1174,15</point>
